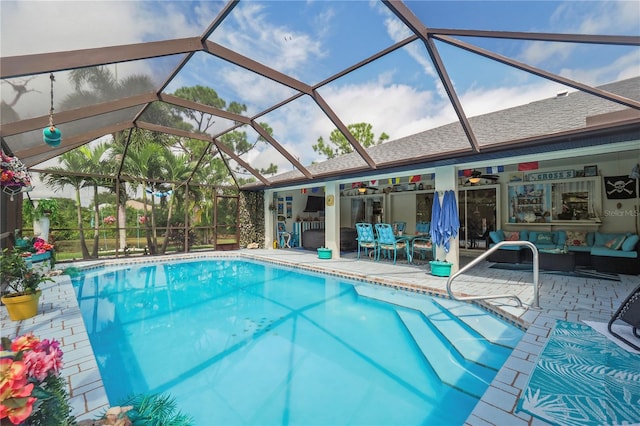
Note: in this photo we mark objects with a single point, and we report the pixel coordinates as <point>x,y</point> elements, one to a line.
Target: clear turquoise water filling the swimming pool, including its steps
<point>240,342</point>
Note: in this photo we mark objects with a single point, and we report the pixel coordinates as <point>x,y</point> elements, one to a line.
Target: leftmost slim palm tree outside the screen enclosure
<point>71,161</point>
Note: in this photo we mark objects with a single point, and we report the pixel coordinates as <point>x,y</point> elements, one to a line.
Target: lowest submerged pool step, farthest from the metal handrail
<point>450,367</point>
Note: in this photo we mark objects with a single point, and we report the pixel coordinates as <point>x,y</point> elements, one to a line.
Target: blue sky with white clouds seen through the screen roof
<point>399,94</point>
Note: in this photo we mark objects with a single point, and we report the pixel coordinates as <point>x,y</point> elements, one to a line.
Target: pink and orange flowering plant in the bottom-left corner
<point>30,383</point>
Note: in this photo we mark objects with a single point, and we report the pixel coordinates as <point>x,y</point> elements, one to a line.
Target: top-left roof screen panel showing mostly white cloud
<point>54,26</point>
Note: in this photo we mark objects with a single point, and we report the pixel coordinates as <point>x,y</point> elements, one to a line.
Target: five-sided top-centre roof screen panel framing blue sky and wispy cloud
<point>309,41</point>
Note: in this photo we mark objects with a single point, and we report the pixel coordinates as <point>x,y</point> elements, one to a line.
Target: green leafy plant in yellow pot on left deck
<point>20,285</point>
